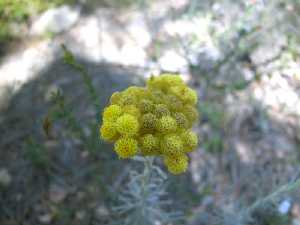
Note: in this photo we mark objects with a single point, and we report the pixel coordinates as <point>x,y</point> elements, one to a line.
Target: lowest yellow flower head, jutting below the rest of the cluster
<point>176,164</point>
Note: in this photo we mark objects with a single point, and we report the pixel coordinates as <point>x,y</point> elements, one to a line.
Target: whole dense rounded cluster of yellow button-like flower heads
<point>153,121</point>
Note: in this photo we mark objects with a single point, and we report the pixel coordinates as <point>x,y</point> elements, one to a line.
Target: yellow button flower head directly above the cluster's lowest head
<point>171,144</point>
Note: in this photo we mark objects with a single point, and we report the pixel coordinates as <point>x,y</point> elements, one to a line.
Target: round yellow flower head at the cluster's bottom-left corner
<point>126,147</point>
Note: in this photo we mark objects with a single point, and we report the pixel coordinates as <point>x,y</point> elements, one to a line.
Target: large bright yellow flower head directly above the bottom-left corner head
<point>127,125</point>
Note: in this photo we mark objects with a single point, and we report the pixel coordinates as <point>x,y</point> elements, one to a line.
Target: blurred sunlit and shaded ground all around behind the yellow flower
<point>242,58</point>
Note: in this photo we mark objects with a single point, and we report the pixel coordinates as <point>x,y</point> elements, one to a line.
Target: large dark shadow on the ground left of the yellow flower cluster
<point>55,176</point>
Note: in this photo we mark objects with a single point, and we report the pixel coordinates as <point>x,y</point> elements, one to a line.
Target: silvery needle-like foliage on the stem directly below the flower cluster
<point>144,199</point>
